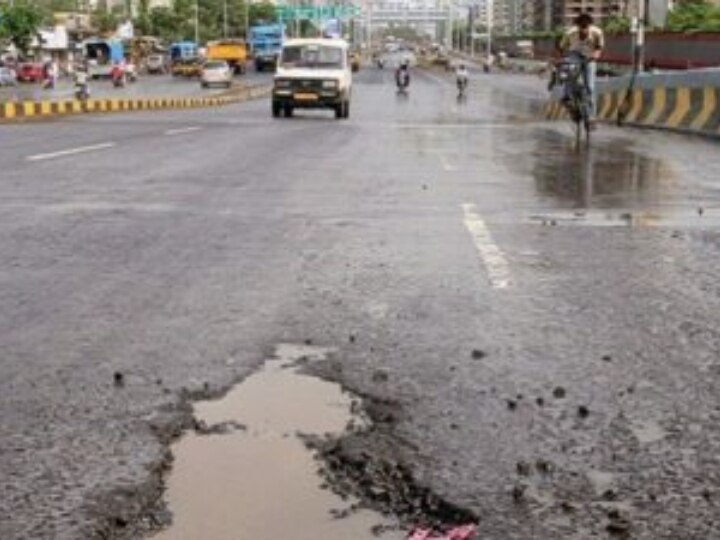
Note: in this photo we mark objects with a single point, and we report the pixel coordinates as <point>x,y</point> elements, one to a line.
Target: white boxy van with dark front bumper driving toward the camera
<point>313,74</point>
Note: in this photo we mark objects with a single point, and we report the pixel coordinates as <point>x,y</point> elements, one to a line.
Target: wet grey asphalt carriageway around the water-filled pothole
<point>145,257</point>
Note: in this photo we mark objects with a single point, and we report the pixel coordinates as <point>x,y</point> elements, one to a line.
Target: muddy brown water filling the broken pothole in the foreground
<point>253,478</point>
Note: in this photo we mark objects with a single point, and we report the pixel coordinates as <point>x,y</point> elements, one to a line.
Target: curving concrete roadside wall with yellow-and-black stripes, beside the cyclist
<point>682,101</point>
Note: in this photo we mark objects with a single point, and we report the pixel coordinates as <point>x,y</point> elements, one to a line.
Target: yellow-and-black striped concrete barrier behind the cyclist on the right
<point>688,109</point>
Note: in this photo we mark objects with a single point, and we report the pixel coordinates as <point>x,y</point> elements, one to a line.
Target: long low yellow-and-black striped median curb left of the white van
<point>38,109</point>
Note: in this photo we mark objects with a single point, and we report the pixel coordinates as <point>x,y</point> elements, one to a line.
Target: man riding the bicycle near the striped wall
<point>587,40</point>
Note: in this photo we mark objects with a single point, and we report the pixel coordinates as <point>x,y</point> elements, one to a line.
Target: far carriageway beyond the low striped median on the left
<point>146,86</point>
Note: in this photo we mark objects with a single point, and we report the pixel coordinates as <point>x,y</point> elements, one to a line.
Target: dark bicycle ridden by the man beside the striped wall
<point>571,73</point>
